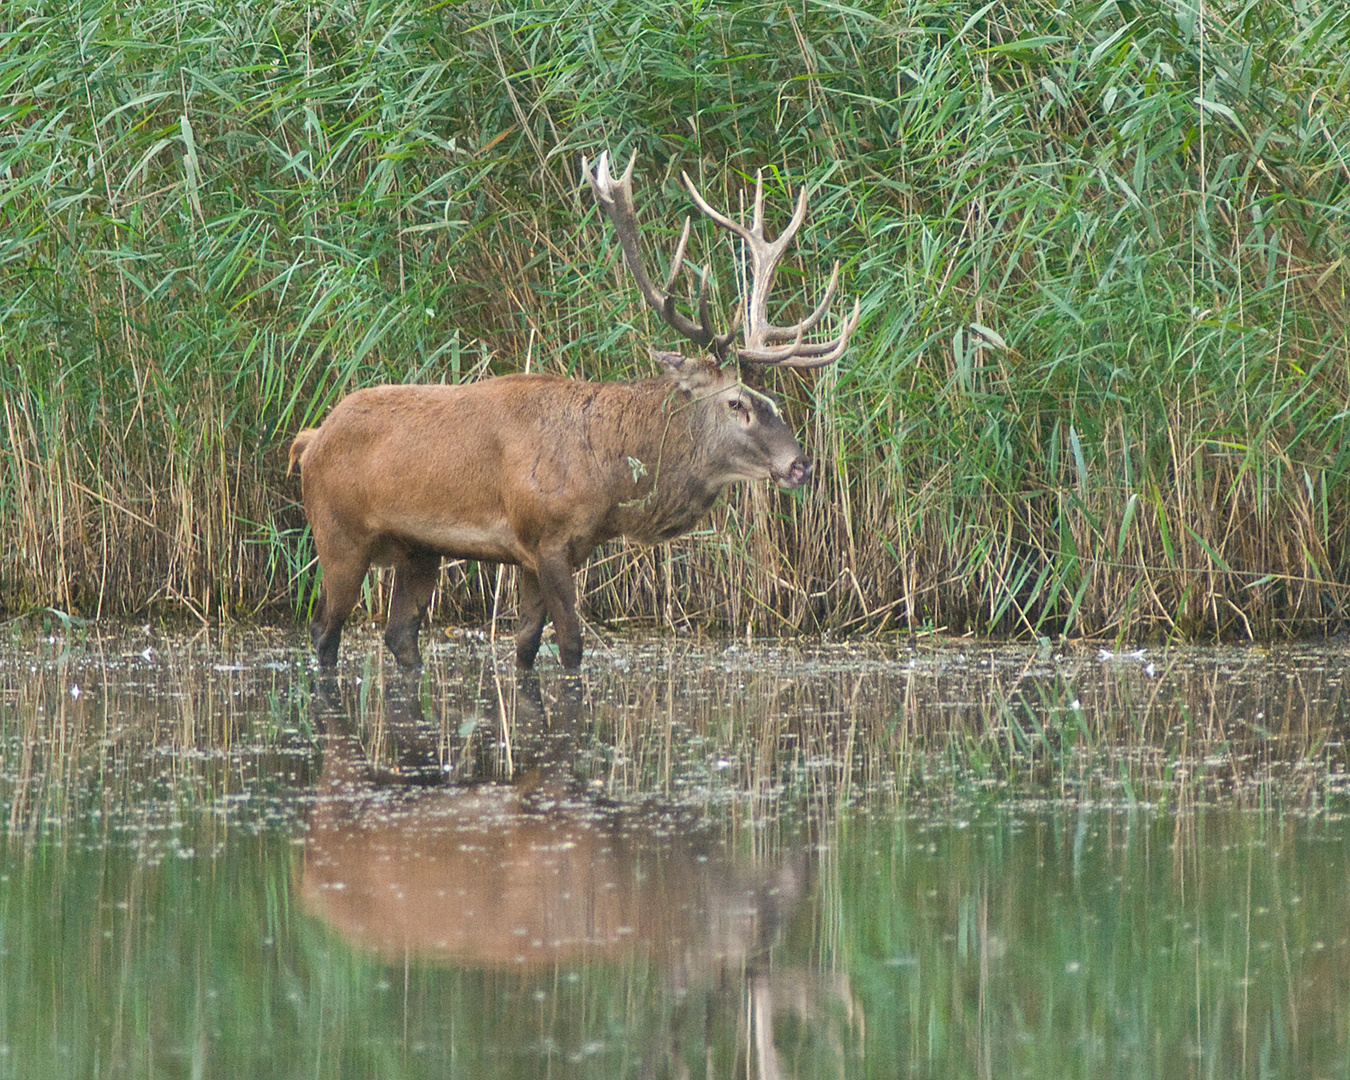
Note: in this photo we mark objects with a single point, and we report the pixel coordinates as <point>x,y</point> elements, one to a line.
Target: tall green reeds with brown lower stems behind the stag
<point>1101,385</point>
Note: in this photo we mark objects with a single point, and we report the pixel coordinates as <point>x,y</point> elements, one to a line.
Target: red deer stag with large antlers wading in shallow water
<point>535,470</point>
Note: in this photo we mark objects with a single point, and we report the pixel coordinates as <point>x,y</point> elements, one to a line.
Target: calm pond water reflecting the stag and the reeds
<point>709,861</point>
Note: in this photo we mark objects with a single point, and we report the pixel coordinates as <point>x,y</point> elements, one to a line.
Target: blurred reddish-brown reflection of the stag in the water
<point>534,871</point>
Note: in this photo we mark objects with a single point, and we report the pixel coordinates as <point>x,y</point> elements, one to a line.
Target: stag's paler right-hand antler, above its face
<point>765,344</point>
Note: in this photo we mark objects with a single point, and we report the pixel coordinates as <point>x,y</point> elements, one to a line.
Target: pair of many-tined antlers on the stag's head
<point>765,344</point>
